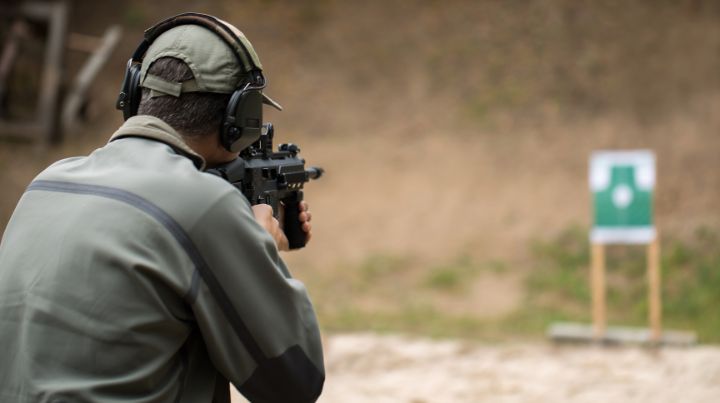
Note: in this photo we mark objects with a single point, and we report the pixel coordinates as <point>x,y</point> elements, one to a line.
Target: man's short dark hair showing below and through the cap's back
<point>193,113</point>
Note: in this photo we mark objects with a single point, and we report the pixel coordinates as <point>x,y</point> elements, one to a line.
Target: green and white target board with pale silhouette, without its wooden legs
<point>622,184</point>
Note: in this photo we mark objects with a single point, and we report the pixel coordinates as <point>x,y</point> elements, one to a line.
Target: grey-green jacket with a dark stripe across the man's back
<point>130,275</point>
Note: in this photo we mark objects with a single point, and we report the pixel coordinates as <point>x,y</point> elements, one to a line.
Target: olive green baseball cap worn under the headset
<point>216,66</point>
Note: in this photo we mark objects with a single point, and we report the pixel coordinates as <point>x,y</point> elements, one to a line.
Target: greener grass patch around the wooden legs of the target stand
<point>559,285</point>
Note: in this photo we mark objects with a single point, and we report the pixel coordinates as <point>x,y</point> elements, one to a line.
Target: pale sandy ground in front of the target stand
<point>378,369</point>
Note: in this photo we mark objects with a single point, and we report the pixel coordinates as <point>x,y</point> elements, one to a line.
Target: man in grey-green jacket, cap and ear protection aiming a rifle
<point>132,274</point>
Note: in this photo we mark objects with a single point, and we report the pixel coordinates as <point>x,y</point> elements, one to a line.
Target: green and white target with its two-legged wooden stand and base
<point>622,185</point>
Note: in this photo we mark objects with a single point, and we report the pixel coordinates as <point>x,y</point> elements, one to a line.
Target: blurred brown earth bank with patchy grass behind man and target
<point>456,137</point>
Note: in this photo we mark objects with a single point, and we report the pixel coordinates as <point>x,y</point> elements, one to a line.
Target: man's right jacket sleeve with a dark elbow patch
<point>257,321</point>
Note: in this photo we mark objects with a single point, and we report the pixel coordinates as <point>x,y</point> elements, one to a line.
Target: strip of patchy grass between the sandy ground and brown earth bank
<point>390,294</point>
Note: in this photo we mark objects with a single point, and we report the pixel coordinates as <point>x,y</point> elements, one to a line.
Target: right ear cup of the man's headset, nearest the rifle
<point>243,120</point>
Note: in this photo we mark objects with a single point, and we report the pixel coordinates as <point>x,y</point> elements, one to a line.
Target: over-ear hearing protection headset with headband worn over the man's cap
<point>242,124</point>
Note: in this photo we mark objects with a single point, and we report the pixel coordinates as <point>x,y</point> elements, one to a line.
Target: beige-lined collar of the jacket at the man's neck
<point>153,128</point>
